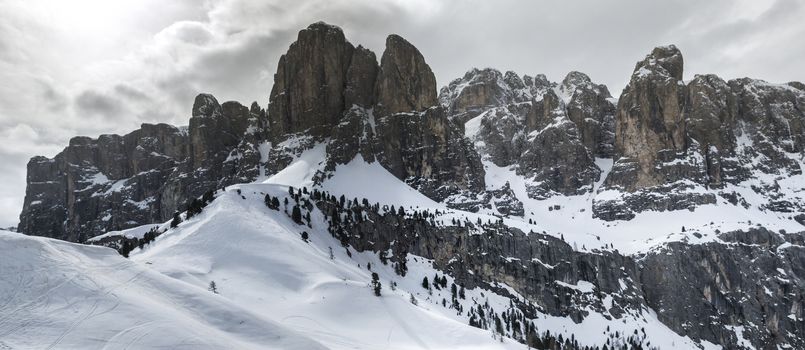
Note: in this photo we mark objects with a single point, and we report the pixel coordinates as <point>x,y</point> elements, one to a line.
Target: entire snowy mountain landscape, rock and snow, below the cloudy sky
<point>671,217</point>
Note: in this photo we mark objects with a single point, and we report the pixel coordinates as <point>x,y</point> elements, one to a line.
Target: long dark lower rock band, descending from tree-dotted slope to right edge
<point>754,282</point>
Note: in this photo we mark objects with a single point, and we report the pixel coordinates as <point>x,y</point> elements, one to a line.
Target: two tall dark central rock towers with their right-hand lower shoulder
<point>387,113</point>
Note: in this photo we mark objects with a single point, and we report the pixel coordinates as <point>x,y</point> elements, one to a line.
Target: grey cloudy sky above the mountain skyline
<point>87,67</point>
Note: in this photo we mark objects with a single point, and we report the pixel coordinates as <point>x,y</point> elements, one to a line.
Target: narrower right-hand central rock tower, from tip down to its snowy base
<point>415,139</point>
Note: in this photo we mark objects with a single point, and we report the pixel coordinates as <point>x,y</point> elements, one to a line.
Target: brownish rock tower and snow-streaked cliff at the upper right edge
<point>679,146</point>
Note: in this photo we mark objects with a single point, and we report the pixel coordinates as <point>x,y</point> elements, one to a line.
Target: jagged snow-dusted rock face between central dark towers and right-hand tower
<point>550,133</point>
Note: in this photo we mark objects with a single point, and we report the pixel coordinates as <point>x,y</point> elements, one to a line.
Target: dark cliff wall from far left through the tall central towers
<point>326,91</point>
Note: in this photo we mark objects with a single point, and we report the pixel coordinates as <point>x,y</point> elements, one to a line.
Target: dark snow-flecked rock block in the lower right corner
<point>749,289</point>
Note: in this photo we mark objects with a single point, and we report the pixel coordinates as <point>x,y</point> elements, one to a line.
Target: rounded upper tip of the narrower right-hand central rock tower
<point>405,83</point>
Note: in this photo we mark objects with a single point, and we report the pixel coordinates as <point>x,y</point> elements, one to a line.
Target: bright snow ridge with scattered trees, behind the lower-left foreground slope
<point>258,260</point>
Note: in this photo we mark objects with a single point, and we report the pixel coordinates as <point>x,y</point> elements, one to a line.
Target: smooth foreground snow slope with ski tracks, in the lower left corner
<point>59,295</point>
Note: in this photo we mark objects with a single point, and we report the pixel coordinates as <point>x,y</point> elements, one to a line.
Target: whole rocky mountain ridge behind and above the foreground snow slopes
<point>532,160</point>
